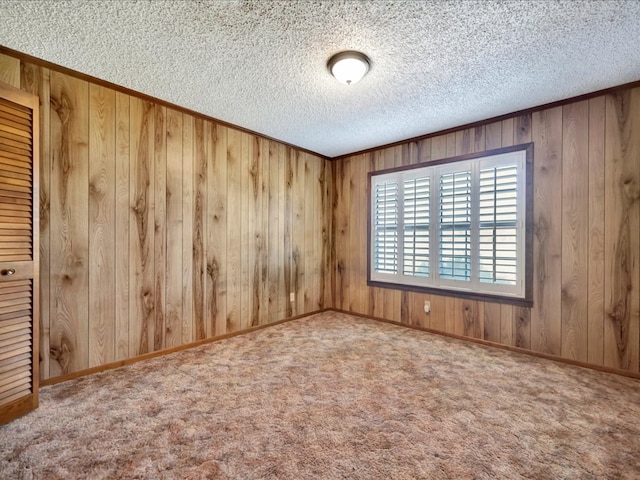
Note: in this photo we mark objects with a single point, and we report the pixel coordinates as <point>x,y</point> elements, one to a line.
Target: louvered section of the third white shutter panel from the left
<point>455,226</point>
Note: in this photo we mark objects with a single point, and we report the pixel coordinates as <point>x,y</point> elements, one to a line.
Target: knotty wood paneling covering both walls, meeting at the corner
<point>160,228</point>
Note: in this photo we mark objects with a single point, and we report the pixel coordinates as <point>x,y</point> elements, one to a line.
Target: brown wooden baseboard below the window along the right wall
<point>546,356</point>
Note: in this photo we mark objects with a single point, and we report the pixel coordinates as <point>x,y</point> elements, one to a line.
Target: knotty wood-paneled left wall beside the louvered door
<point>159,228</point>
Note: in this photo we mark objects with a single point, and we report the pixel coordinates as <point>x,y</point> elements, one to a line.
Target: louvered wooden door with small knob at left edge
<point>19,146</point>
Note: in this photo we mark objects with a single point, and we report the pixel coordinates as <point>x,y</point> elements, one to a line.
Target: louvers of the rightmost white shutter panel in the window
<point>498,224</point>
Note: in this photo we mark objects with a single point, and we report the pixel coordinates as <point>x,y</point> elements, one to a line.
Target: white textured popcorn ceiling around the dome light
<point>261,65</point>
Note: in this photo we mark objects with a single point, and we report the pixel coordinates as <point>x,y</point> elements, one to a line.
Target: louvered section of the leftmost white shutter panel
<point>386,227</point>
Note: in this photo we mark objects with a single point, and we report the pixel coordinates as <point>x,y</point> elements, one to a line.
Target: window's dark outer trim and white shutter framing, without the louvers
<point>521,297</point>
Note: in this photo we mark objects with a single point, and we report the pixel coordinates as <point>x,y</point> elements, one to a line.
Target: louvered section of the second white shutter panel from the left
<point>416,227</point>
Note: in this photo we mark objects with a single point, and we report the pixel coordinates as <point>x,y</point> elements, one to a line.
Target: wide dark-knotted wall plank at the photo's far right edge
<point>622,229</point>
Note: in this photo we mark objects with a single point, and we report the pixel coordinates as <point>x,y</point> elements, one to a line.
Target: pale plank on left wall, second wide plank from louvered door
<point>102,144</point>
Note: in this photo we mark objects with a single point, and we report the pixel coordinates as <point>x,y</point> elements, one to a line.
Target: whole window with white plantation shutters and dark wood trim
<point>462,225</point>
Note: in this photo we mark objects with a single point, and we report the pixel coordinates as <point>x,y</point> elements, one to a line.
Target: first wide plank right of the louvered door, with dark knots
<point>69,342</point>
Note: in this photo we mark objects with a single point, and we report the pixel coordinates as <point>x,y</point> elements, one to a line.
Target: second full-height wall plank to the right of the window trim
<point>575,225</point>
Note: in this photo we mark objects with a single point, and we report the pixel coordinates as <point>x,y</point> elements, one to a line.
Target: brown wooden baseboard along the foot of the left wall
<point>166,351</point>
